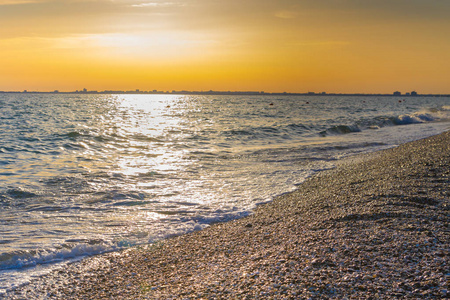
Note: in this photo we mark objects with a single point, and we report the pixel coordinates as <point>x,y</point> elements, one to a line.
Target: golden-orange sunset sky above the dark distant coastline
<point>340,46</point>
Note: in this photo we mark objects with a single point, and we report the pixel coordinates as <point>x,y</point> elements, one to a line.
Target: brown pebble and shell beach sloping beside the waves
<point>375,226</point>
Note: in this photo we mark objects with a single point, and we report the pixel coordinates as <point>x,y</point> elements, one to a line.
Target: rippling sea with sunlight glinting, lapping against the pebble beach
<point>86,174</point>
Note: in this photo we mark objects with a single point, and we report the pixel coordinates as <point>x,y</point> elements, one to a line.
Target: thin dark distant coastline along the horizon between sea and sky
<point>223,93</point>
